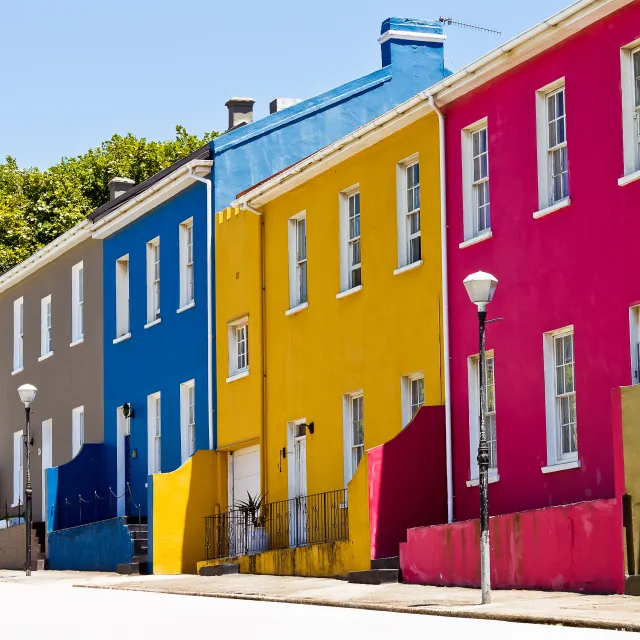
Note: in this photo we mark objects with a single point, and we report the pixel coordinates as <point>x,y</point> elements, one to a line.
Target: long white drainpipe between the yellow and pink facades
<point>445,306</point>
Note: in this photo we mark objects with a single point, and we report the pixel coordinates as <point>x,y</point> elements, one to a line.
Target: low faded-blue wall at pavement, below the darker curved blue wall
<point>101,546</point>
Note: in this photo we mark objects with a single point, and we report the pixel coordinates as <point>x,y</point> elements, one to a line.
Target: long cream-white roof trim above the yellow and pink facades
<point>517,50</point>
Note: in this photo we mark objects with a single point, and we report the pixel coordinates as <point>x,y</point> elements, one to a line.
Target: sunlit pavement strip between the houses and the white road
<point>601,612</point>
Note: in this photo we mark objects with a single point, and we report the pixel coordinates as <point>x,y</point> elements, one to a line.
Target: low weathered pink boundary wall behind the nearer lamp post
<point>578,547</point>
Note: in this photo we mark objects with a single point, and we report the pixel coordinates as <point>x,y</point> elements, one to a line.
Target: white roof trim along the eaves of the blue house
<point>153,196</point>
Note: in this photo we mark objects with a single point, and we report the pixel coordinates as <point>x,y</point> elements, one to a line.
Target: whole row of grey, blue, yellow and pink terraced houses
<point>263,358</point>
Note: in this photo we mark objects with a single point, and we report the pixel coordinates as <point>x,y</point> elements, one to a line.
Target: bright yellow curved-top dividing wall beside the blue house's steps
<point>181,500</point>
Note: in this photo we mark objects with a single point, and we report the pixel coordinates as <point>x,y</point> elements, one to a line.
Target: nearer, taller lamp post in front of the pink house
<point>481,286</point>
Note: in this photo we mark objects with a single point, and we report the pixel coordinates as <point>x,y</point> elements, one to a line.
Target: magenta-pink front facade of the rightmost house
<point>576,266</point>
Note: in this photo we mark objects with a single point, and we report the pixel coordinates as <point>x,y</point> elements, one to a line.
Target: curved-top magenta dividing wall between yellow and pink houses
<point>408,482</point>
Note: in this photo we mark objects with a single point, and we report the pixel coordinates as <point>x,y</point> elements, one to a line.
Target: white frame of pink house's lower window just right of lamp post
<point>556,460</point>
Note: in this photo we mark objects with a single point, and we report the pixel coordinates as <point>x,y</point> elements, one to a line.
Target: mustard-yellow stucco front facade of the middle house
<point>368,340</point>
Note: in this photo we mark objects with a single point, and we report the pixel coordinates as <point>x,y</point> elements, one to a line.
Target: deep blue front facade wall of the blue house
<point>165,355</point>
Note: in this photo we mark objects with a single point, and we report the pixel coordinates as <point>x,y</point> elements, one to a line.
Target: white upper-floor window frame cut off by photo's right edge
<point>630,112</point>
